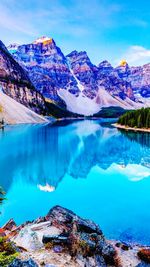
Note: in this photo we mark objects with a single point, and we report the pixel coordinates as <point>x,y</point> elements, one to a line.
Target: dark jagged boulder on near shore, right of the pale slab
<point>80,236</point>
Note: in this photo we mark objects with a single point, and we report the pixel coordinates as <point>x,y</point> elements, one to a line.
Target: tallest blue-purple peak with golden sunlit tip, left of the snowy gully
<point>47,67</point>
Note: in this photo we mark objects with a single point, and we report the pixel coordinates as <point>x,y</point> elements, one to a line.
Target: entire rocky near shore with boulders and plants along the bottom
<point>62,239</point>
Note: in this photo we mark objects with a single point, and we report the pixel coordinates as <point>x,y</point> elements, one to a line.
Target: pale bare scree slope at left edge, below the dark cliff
<point>12,112</point>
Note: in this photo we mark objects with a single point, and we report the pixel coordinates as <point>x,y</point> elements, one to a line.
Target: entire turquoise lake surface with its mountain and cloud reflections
<point>87,166</point>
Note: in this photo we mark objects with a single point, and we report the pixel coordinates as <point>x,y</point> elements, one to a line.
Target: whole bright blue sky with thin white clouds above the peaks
<point>106,29</point>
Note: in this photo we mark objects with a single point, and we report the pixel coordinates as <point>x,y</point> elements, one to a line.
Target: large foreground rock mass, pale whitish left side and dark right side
<point>63,231</point>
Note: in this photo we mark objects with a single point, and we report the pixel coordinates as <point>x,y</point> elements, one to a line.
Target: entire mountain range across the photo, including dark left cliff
<point>39,75</point>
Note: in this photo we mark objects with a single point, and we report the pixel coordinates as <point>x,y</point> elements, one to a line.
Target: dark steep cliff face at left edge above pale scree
<point>14,81</point>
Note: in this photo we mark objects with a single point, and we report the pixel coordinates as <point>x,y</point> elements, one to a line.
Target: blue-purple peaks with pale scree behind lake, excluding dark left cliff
<point>72,82</point>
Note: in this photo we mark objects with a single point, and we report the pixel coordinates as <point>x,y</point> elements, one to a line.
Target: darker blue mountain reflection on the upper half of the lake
<point>43,155</point>
